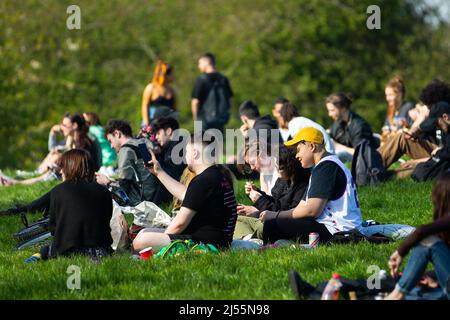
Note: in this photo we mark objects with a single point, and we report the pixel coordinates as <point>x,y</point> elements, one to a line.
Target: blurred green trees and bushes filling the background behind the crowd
<point>301,49</point>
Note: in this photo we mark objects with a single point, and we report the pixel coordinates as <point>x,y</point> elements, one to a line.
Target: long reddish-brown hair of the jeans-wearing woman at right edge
<point>441,201</point>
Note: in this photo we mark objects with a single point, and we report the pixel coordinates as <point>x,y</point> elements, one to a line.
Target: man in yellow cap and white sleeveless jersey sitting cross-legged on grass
<point>330,204</point>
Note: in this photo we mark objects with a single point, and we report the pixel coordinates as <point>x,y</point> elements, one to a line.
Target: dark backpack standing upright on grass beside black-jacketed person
<point>367,165</point>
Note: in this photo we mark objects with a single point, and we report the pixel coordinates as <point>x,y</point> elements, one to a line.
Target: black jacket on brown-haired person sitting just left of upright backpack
<point>350,133</point>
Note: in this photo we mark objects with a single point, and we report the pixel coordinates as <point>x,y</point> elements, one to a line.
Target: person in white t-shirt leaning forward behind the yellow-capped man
<point>291,119</point>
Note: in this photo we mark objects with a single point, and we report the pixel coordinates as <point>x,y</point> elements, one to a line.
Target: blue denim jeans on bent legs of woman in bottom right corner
<point>429,250</point>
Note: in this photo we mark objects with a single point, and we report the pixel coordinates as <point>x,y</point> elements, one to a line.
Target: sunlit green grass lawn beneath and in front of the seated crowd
<point>229,275</point>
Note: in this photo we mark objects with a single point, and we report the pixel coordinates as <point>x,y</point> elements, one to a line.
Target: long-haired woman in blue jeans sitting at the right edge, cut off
<point>429,243</point>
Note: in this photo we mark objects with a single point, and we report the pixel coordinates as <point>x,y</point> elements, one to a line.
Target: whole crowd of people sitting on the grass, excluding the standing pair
<point>305,185</point>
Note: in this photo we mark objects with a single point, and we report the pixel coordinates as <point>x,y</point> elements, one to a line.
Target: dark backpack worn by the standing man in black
<point>215,110</point>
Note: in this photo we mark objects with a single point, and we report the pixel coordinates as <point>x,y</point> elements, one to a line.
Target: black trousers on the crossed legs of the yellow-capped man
<point>294,229</point>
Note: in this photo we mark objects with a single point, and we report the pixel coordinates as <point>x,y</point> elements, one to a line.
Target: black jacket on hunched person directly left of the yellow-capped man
<point>284,196</point>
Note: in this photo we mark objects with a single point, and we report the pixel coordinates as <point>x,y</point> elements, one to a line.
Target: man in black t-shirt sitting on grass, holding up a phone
<point>208,211</point>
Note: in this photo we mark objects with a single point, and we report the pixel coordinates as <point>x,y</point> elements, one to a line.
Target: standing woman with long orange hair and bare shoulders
<point>158,92</point>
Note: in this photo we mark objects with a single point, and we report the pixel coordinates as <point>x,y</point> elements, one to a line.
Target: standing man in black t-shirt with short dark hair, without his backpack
<point>204,84</point>
